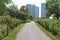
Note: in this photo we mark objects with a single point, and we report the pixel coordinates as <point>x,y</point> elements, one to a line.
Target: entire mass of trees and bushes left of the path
<point>11,17</point>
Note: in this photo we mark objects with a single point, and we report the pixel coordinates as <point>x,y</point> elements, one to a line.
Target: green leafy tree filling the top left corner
<point>3,7</point>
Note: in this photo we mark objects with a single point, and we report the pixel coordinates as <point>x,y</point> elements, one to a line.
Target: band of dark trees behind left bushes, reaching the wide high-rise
<point>23,15</point>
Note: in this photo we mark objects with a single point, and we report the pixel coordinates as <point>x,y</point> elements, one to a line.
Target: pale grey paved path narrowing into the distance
<point>31,32</point>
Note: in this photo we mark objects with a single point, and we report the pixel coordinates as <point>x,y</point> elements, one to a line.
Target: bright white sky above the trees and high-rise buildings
<point>19,3</point>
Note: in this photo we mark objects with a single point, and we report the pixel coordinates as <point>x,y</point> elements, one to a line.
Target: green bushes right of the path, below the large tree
<point>51,25</point>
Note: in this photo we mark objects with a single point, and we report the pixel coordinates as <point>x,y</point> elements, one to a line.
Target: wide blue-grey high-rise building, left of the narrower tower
<point>33,10</point>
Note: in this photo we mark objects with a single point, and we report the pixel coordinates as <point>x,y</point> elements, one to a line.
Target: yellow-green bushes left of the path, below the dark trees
<point>11,23</point>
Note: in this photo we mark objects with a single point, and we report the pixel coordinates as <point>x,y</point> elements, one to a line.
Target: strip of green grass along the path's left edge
<point>12,35</point>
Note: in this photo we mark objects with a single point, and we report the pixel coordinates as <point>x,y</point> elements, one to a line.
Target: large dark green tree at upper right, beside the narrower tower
<point>52,7</point>
